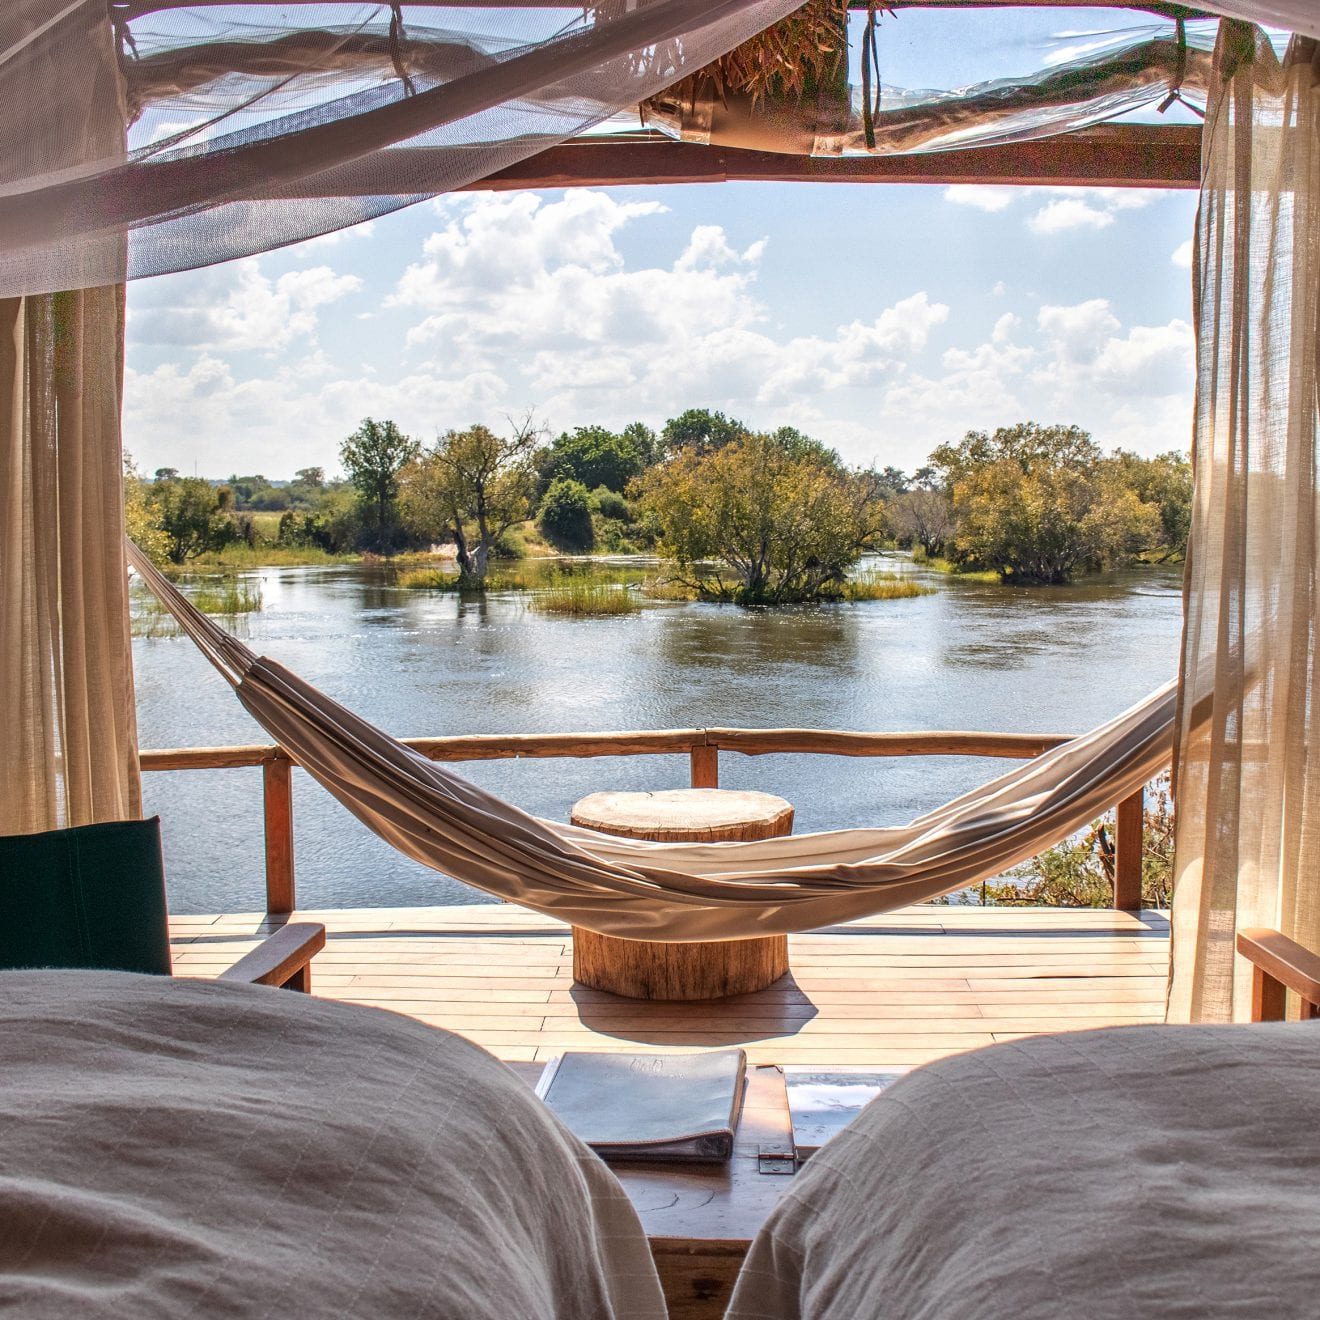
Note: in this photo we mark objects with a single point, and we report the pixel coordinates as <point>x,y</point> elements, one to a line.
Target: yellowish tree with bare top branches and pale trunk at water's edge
<point>472,488</point>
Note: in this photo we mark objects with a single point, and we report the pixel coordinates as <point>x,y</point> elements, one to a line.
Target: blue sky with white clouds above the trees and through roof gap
<point>882,320</point>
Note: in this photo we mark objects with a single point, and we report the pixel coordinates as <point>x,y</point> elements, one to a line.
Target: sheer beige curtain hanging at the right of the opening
<point>1249,791</point>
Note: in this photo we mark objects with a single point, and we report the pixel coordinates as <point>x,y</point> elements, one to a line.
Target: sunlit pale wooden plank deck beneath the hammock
<point>905,988</point>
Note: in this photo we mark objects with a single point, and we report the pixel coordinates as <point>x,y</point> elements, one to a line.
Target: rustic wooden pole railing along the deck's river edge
<point>703,748</point>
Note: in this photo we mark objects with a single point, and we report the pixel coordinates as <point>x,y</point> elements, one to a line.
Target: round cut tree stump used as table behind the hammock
<point>650,970</point>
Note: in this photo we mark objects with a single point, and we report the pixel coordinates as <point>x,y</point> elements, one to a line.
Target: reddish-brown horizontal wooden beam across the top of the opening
<point>1109,156</point>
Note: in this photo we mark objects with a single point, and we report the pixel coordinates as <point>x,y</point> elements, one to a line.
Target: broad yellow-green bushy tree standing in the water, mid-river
<point>781,513</point>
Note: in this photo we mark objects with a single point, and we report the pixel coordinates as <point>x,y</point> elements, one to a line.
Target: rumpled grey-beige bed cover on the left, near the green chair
<point>200,1149</point>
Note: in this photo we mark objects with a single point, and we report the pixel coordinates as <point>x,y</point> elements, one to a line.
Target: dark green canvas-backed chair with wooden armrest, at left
<point>94,897</point>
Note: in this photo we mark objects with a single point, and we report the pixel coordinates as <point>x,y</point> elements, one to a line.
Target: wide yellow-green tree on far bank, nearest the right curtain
<point>1041,504</point>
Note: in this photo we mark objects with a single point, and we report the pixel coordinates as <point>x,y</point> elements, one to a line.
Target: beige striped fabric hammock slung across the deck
<point>679,892</point>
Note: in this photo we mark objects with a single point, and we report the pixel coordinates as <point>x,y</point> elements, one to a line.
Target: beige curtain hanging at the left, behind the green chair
<point>68,729</point>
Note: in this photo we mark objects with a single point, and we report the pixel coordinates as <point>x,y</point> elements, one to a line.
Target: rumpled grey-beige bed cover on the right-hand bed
<point>1132,1173</point>
